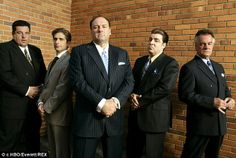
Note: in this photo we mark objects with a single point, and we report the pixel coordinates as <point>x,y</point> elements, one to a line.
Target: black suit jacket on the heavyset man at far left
<point>16,75</point>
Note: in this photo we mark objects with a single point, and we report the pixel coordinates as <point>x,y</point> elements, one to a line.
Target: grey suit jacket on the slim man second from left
<point>57,93</point>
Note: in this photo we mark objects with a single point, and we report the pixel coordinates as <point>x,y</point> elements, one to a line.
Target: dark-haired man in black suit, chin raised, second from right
<point>150,114</point>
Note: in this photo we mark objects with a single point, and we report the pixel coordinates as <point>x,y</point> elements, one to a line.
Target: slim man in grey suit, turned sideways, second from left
<point>55,101</point>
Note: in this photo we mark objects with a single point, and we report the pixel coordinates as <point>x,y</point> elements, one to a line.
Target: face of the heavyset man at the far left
<point>21,35</point>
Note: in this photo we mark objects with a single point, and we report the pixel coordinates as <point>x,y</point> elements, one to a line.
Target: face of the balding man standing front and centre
<point>100,30</point>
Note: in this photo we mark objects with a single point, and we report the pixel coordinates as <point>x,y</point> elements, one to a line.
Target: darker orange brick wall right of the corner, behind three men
<point>132,20</point>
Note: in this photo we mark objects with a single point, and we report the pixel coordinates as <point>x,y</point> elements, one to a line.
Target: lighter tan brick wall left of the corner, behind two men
<point>43,15</point>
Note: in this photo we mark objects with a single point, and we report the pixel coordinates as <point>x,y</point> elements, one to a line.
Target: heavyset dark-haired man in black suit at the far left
<point>22,71</point>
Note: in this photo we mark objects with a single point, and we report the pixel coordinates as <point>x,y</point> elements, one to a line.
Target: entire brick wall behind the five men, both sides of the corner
<point>132,20</point>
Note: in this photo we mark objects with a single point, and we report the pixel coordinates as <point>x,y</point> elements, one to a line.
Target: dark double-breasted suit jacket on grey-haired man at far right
<point>198,87</point>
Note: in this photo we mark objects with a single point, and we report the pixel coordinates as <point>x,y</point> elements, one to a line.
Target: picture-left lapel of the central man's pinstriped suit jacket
<point>92,51</point>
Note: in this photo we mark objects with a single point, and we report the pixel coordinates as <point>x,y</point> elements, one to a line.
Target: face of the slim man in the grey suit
<point>60,42</point>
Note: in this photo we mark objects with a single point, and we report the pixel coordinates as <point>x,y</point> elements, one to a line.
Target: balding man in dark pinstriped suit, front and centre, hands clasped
<point>102,87</point>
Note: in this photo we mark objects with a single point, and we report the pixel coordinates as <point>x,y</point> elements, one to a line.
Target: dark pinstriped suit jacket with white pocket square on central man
<point>91,83</point>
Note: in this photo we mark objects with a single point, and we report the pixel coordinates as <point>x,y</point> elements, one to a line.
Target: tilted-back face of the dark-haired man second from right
<point>156,45</point>
